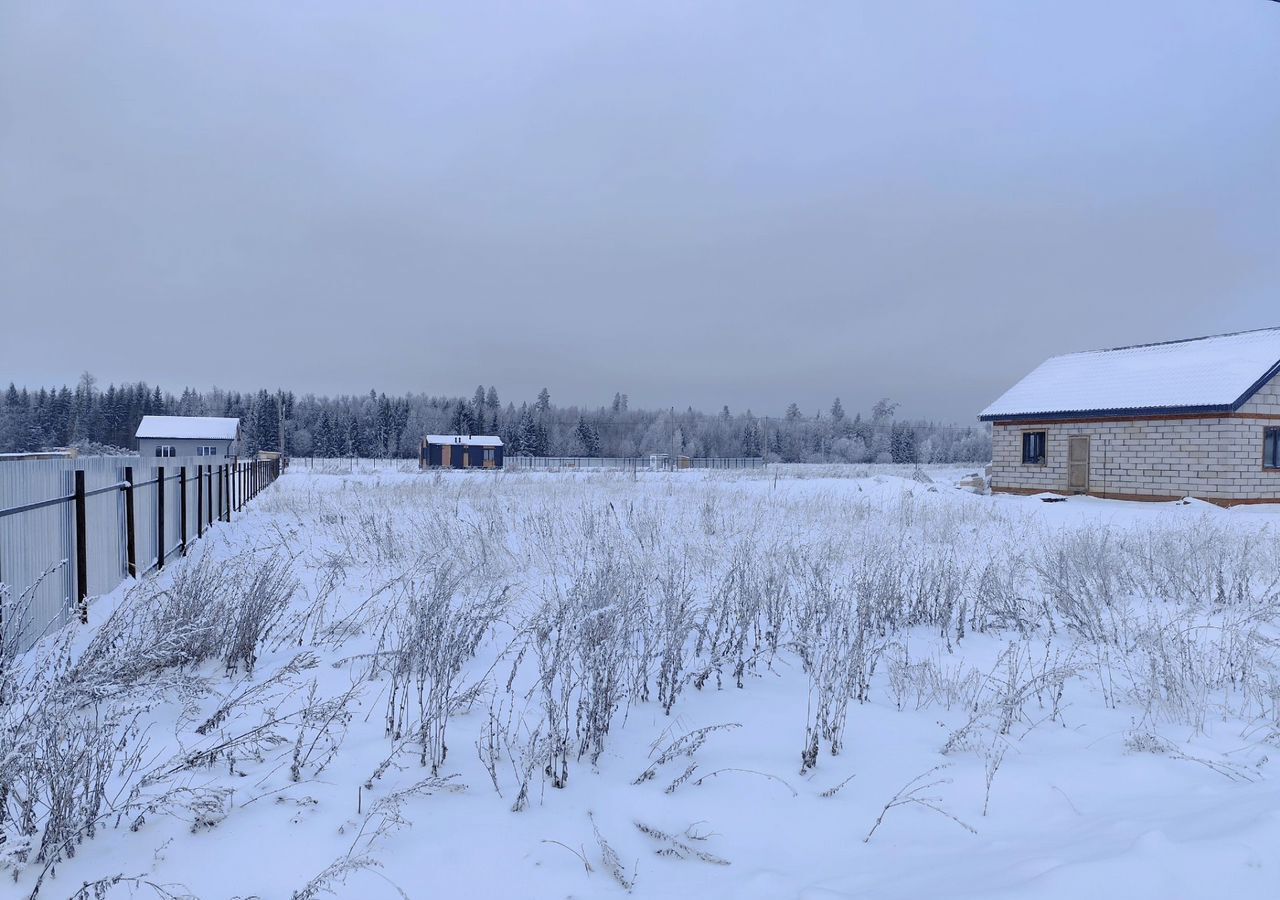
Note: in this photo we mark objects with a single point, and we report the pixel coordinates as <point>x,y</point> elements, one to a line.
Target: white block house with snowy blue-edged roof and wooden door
<point>1197,418</point>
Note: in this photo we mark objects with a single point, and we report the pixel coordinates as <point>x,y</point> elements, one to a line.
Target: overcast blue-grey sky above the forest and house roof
<point>693,203</point>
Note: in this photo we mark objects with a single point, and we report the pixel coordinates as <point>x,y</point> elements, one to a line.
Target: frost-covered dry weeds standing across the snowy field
<point>547,611</point>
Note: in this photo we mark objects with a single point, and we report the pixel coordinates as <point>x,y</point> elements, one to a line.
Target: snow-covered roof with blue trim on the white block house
<point>1210,374</point>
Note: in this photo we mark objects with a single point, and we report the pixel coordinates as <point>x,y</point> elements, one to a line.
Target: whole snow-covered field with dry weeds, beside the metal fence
<point>803,683</point>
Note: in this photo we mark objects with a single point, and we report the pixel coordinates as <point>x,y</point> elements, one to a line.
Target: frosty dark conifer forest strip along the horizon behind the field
<point>381,426</point>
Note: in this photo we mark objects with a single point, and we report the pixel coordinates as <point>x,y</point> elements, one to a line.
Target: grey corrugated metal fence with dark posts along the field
<point>74,529</point>
